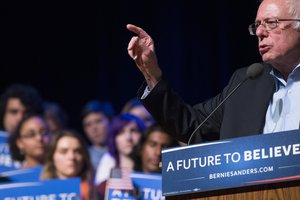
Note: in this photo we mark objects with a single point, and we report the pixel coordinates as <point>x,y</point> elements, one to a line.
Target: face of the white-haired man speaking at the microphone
<point>281,45</point>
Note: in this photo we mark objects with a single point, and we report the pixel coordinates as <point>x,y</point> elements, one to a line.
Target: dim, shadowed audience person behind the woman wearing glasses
<point>55,116</point>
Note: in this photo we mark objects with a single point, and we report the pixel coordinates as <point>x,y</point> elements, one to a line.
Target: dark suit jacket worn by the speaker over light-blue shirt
<point>241,115</point>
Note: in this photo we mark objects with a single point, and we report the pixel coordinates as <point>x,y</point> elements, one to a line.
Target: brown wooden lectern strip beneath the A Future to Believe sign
<point>275,191</point>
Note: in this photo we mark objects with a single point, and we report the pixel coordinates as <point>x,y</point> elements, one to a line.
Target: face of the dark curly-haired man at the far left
<point>14,113</point>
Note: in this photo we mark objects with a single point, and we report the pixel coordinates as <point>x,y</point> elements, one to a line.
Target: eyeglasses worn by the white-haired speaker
<point>269,24</point>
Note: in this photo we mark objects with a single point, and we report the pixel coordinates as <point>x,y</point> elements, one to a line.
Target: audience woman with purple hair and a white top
<point>126,132</point>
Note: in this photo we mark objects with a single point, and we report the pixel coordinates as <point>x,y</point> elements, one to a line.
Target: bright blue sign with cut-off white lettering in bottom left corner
<point>55,189</point>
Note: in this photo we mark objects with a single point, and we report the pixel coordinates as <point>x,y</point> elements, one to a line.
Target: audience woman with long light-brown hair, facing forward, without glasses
<point>68,157</point>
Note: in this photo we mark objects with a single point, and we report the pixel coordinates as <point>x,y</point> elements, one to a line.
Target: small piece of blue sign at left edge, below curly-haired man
<point>6,162</point>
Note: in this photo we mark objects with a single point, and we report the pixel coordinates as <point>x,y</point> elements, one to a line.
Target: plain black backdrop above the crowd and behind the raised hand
<point>73,52</point>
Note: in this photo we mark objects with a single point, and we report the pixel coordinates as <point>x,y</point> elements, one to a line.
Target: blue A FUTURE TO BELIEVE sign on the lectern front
<point>236,162</point>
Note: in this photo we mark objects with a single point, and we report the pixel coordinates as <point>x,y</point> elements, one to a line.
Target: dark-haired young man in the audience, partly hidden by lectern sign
<point>147,154</point>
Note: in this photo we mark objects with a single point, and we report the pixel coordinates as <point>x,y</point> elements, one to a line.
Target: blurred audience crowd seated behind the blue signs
<point>39,136</point>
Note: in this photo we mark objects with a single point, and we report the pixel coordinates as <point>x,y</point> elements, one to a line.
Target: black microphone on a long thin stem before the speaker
<point>253,72</point>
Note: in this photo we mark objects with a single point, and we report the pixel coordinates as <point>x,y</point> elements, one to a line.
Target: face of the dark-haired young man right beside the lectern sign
<point>151,152</point>
